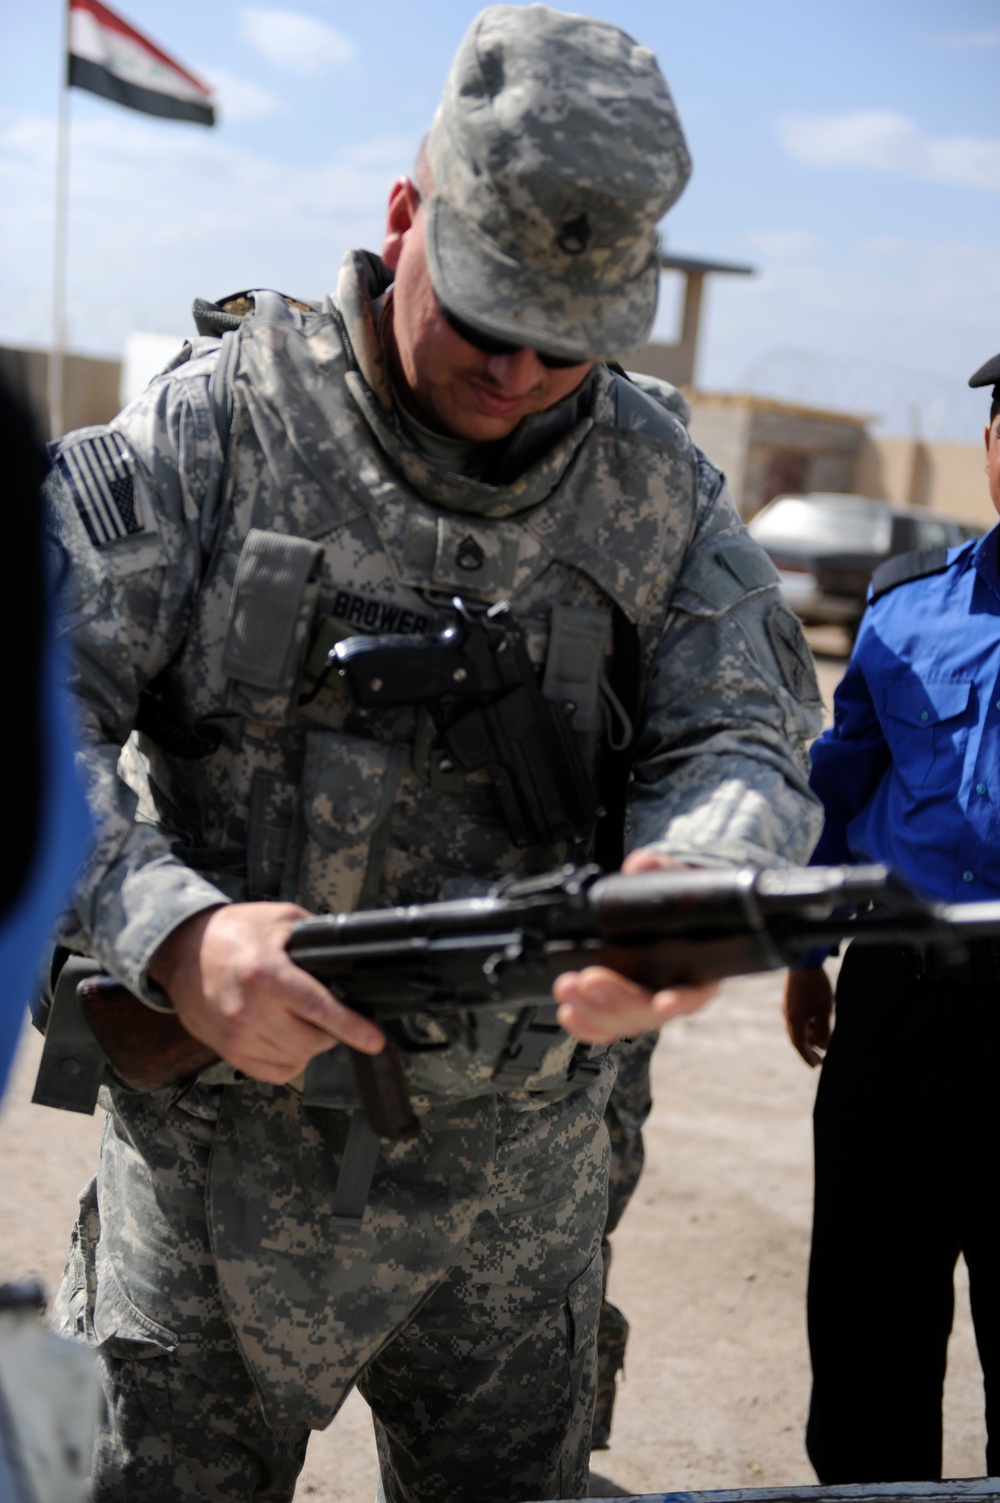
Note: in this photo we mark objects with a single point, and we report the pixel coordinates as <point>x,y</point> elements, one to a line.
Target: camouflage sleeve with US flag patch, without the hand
<point>127,519</point>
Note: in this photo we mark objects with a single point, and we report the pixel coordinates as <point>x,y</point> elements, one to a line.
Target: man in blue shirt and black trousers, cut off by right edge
<point>908,1119</point>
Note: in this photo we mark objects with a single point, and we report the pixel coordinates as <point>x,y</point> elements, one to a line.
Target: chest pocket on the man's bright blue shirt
<point>927,728</point>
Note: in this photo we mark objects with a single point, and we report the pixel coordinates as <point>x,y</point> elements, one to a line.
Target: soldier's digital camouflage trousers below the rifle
<point>232,1313</point>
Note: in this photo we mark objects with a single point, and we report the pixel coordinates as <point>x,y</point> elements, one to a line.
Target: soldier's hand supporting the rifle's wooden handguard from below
<point>599,1006</point>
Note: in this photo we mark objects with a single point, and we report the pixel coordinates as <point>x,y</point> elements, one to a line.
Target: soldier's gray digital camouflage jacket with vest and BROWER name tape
<point>202,575</point>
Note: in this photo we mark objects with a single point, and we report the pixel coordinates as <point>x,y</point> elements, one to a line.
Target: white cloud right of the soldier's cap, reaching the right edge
<point>886,142</point>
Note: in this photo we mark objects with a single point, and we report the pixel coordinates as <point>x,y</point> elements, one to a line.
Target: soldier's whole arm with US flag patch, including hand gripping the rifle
<point>130,585</point>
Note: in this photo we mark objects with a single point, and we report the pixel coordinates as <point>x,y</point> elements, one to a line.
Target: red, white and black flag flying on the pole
<point>111,58</point>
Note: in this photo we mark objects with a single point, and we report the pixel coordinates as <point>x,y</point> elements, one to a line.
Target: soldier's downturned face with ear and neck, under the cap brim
<point>444,381</point>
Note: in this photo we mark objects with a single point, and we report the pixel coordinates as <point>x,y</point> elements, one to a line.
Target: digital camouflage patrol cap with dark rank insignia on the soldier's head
<point>554,153</point>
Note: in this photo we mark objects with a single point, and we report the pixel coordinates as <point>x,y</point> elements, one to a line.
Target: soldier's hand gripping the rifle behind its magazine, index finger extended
<point>235,988</point>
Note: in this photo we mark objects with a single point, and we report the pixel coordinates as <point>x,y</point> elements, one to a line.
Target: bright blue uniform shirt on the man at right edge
<point>911,770</point>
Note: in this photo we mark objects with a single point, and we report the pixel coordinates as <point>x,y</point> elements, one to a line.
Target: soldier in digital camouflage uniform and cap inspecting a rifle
<point>444,426</point>
